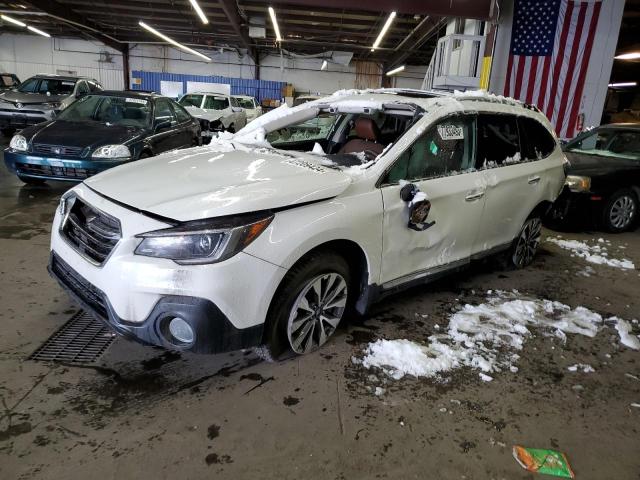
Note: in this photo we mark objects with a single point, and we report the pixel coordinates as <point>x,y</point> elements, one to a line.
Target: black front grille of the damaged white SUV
<point>92,233</point>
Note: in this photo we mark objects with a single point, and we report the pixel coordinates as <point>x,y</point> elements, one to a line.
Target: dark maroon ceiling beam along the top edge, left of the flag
<point>477,9</point>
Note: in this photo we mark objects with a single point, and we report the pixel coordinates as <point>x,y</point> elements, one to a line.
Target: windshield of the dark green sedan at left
<point>126,111</point>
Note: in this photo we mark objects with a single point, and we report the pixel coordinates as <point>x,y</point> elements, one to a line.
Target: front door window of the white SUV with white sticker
<point>445,149</point>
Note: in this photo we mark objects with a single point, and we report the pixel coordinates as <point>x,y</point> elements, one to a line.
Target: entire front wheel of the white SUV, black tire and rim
<point>308,306</point>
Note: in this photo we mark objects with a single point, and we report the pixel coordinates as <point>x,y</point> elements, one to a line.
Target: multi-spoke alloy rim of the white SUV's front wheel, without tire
<point>316,312</point>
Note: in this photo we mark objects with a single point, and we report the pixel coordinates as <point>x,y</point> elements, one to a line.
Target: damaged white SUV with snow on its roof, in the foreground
<point>271,236</point>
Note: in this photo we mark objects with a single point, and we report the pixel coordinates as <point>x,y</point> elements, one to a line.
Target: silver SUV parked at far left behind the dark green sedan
<point>40,98</point>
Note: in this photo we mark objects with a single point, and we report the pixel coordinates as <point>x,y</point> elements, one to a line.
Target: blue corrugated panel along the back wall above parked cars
<point>261,89</point>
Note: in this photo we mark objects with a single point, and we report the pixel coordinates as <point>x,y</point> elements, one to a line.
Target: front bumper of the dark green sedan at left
<point>52,168</point>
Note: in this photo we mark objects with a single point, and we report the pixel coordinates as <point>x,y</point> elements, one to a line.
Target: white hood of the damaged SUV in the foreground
<point>223,179</point>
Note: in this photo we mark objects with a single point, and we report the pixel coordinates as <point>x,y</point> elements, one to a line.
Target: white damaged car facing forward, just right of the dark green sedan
<point>219,111</point>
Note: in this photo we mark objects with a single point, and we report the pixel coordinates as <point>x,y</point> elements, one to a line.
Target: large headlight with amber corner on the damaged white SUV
<point>204,241</point>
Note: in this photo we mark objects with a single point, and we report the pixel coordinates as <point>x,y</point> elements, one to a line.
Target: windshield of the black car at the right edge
<point>608,143</point>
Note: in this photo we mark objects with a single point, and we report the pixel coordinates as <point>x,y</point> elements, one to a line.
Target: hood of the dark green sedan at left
<point>94,134</point>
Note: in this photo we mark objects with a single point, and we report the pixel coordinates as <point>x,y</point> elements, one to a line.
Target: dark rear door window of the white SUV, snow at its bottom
<point>497,140</point>
